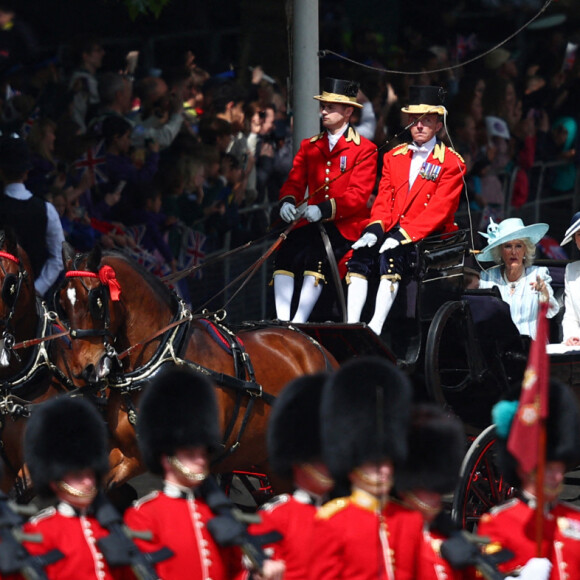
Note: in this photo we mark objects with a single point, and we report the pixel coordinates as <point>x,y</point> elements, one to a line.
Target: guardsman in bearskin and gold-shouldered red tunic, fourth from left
<point>364,536</point>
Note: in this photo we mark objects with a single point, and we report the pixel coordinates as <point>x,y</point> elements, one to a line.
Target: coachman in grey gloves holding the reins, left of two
<point>332,178</point>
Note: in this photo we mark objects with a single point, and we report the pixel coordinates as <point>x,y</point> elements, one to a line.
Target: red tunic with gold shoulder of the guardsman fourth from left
<point>352,540</point>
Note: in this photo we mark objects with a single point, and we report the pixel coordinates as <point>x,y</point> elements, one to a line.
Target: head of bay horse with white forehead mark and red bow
<point>89,303</point>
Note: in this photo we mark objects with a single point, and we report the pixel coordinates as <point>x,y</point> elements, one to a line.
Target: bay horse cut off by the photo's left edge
<point>27,376</point>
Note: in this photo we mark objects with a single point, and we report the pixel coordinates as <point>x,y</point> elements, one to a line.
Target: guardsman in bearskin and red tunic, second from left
<point>177,429</point>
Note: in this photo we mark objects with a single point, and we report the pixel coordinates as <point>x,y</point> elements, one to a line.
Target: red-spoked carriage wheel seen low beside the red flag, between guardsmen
<point>481,485</point>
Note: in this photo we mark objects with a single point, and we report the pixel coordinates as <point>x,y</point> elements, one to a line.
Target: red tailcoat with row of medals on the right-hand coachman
<point>429,206</point>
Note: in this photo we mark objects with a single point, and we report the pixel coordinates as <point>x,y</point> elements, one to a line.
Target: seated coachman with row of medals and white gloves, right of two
<point>418,196</point>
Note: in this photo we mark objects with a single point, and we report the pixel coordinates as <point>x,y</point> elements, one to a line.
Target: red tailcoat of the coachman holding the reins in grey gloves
<point>343,201</point>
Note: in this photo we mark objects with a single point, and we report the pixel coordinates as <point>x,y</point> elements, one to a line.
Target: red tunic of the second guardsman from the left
<point>180,524</point>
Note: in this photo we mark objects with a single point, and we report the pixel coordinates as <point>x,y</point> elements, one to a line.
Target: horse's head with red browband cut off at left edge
<point>17,312</point>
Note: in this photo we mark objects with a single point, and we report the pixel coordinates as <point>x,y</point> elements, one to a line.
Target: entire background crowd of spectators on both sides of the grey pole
<point>163,162</point>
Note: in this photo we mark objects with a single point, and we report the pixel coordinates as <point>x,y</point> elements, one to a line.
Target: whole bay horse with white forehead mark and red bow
<point>125,325</point>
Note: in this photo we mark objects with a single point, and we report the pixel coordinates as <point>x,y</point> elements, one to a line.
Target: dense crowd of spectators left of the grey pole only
<point>162,164</point>
